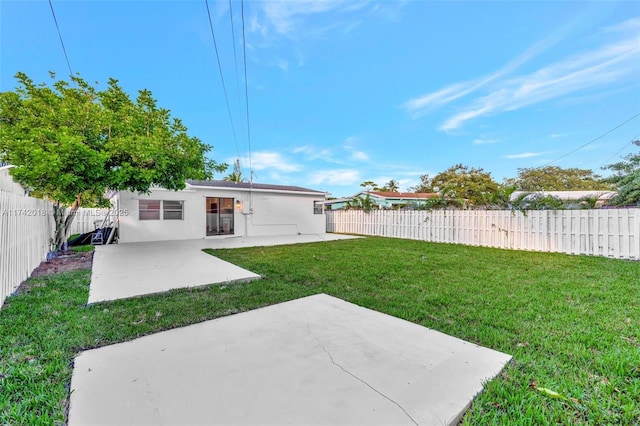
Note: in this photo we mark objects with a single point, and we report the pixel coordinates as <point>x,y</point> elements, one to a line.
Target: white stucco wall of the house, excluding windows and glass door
<point>258,213</point>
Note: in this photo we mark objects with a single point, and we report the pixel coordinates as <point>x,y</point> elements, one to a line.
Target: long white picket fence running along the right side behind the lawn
<point>602,232</point>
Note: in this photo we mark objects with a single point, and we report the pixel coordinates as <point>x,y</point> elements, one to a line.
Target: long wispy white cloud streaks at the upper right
<point>614,62</point>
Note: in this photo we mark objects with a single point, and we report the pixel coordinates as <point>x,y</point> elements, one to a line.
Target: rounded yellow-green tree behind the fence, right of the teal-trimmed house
<point>463,185</point>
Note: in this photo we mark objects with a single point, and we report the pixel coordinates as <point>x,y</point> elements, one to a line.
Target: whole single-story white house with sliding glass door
<point>210,209</point>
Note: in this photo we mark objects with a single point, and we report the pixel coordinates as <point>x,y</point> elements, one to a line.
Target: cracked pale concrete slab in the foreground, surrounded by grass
<point>312,361</point>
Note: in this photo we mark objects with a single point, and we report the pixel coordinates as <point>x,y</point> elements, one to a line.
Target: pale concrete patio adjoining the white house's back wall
<point>128,270</point>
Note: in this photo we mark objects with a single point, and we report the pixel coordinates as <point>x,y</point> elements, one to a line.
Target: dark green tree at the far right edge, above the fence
<point>626,179</point>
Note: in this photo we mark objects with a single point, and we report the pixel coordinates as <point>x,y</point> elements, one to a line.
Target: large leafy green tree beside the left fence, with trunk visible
<point>71,143</point>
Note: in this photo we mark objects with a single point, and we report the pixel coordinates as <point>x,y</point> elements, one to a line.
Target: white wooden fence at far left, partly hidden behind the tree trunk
<point>26,229</point>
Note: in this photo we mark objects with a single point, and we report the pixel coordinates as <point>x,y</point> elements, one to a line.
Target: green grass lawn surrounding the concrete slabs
<point>572,323</point>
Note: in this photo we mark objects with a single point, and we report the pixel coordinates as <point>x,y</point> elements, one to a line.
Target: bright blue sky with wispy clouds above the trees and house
<point>341,92</point>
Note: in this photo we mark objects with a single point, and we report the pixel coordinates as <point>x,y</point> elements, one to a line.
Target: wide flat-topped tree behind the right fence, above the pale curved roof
<point>554,178</point>
